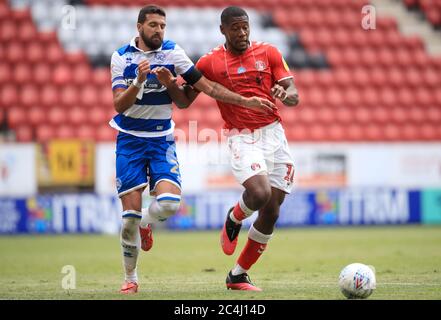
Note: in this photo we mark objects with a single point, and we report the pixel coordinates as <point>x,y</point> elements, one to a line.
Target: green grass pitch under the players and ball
<point>298,264</point>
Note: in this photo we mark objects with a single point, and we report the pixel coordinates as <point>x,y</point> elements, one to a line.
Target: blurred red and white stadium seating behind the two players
<point>354,84</point>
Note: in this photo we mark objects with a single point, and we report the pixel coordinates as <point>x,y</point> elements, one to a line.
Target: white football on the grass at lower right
<point>357,281</point>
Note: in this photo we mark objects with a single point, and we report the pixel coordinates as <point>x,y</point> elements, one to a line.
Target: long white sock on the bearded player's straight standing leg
<point>130,243</point>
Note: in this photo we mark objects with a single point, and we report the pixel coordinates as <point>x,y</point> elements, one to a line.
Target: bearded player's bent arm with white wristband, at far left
<point>125,98</point>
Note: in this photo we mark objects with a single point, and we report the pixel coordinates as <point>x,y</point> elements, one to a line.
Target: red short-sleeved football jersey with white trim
<point>253,73</point>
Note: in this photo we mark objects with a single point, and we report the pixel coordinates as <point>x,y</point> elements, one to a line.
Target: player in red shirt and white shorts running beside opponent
<point>260,157</point>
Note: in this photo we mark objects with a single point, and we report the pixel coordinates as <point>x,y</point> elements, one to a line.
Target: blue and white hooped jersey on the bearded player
<point>150,115</point>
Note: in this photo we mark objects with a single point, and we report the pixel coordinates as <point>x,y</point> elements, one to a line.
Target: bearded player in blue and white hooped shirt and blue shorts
<point>145,149</point>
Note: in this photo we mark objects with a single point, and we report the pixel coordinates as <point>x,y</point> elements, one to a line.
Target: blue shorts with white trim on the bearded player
<point>145,161</point>
